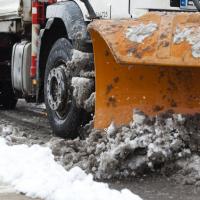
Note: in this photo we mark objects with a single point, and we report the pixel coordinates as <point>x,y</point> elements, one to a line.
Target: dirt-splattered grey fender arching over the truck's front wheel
<point>65,19</point>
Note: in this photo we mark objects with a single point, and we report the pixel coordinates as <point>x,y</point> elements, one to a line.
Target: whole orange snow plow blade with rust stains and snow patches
<point>151,63</point>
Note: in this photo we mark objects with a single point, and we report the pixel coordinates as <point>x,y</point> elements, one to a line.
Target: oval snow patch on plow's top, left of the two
<point>140,32</point>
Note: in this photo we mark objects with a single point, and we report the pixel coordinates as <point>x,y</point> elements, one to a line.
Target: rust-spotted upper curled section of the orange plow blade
<point>166,45</point>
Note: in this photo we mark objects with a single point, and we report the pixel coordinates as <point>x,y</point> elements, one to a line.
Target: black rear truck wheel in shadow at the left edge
<point>8,100</point>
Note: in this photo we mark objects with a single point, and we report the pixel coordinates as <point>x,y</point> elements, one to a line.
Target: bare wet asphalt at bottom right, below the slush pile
<point>159,188</point>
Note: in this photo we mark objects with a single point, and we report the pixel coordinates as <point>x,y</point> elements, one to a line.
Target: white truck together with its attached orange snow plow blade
<point>146,56</point>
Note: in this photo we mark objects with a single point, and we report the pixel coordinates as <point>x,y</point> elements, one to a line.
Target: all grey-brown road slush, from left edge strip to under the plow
<point>168,144</point>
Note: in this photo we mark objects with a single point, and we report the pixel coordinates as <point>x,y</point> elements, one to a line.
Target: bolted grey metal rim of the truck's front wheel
<point>57,91</point>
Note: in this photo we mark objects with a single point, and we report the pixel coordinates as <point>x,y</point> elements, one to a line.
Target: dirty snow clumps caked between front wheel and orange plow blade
<point>82,68</point>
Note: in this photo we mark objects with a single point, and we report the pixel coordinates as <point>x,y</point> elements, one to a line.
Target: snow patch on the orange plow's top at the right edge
<point>192,36</point>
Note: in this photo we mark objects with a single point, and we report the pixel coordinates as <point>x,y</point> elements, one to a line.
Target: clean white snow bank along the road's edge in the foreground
<point>33,171</point>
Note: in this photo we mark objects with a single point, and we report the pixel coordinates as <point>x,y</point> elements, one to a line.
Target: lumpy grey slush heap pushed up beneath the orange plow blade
<point>146,145</point>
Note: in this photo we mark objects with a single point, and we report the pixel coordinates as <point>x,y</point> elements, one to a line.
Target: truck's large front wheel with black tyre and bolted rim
<point>64,116</point>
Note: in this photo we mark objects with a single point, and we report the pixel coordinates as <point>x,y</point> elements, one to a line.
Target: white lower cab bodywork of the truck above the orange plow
<point>118,9</point>
